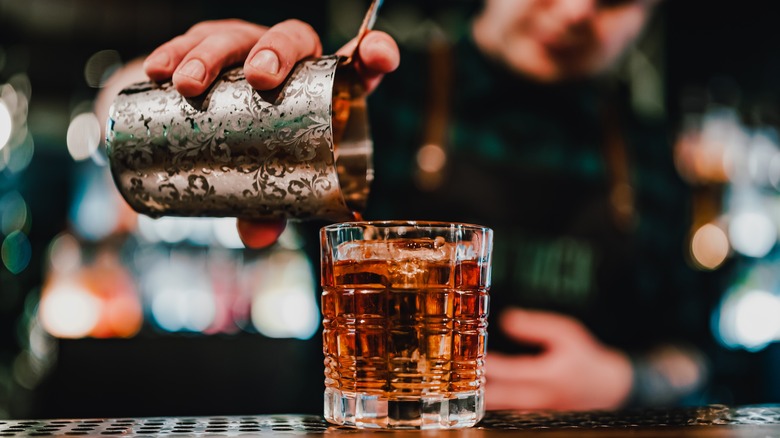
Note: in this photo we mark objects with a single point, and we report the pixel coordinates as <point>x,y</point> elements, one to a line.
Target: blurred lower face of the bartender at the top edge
<point>552,40</point>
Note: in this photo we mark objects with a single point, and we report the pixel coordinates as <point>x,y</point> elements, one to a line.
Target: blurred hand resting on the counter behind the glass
<point>574,371</point>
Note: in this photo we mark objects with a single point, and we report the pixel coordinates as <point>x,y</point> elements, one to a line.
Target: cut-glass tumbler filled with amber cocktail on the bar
<point>405,308</point>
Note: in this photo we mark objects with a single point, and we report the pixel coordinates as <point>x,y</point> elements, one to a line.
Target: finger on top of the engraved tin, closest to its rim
<point>277,51</point>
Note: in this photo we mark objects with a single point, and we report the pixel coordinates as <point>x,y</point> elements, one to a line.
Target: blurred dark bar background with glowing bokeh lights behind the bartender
<point>107,313</point>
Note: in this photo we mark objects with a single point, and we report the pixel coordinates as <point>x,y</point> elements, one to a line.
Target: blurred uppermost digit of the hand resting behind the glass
<point>541,328</point>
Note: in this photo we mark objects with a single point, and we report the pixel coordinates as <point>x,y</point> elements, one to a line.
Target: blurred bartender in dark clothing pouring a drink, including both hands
<point>523,126</point>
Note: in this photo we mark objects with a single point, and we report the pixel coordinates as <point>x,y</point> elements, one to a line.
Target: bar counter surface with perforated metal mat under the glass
<point>707,421</point>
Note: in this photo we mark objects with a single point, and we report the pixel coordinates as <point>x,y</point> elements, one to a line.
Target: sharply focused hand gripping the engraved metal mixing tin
<point>194,60</point>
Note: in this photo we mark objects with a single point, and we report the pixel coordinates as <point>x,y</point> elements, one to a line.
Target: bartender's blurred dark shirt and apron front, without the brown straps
<point>530,161</point>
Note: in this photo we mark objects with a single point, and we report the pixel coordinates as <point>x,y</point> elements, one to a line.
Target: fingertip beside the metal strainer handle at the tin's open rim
<point>378,55</point>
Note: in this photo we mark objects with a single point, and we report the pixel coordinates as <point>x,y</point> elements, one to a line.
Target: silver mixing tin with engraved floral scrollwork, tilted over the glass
<point>238,152</point>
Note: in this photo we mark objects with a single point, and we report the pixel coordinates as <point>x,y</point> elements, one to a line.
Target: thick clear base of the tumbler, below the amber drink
<point>435,411</point>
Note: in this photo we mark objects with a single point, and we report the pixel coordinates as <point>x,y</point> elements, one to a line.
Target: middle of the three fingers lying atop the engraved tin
<point>225,46</point>
